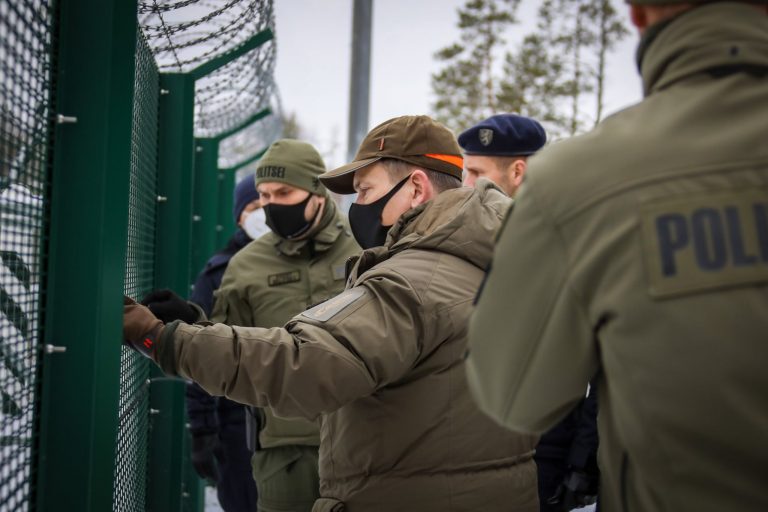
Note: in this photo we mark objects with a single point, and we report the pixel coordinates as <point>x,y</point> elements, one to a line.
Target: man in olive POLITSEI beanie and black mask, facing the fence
<point>299,263</point>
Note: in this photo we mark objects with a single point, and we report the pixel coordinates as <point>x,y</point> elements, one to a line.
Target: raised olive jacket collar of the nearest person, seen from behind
<point>710,37</point>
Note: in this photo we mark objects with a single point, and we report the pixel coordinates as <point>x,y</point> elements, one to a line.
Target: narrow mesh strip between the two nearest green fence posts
<point>133,410</point>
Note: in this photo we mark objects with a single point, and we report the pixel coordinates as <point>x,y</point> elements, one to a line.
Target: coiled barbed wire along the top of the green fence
<point>186,34</point>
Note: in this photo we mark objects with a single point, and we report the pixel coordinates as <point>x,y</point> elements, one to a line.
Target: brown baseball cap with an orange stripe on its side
<point>418,140</point>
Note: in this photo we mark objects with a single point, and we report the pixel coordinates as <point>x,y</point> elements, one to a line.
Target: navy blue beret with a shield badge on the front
<point>504,135</point>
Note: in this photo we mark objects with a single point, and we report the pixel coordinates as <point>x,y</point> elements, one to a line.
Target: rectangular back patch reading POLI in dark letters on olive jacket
<point>706,241</point>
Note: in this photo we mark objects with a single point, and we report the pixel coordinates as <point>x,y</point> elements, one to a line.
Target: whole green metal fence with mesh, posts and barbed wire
<point>99,191</point>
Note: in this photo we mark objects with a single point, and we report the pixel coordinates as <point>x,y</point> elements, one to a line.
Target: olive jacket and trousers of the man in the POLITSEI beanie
<point>266,283</point>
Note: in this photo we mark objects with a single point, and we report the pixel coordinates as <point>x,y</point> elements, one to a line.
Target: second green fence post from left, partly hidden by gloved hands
<point>168,436</point>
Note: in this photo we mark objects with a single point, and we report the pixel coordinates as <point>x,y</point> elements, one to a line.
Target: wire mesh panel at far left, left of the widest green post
<point>25,112</point>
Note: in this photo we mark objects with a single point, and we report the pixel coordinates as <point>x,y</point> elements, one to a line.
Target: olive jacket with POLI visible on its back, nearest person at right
<point>639,252</point>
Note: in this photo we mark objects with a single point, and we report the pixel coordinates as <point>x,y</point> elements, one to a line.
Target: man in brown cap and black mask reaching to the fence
<point>383,362</point>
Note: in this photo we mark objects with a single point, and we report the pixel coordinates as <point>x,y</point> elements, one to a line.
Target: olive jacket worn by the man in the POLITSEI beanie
<point>271,280</point>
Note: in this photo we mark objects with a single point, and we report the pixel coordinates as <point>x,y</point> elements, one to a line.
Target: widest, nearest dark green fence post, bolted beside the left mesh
<point>85,273</point>
